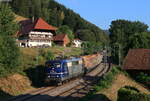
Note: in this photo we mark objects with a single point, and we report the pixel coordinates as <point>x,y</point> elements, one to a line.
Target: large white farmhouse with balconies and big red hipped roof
<point>35,33</point>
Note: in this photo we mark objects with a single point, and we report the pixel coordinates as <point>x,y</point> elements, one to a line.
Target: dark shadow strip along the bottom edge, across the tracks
<point>45,97</point>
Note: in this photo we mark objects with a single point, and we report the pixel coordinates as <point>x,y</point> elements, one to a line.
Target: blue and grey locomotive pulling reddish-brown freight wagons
<point>62,70</point>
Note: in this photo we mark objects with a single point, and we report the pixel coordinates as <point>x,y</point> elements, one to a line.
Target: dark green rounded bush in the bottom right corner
<point>128,94</point>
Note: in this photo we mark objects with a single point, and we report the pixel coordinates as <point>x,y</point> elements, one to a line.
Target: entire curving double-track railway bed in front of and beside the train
<point>66,91</point>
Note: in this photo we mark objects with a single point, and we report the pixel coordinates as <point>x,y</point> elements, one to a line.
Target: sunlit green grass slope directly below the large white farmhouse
<point>31,57</point>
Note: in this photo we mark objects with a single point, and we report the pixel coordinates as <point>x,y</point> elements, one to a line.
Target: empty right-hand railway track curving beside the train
<point>79,91</point>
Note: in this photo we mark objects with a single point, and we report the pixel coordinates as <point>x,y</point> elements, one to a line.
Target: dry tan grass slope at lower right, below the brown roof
<point>121,81</point>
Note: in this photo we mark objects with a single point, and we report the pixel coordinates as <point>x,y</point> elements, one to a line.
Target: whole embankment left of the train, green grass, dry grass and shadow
<point>32,68</point>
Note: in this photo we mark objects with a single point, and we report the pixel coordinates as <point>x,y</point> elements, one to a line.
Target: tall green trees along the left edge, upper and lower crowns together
<point>9,52</point>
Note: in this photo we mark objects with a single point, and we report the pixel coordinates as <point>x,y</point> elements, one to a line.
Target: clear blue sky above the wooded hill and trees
<point>102,12</point>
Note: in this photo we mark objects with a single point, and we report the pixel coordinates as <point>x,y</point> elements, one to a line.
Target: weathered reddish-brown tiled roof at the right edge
<point>137,59</point>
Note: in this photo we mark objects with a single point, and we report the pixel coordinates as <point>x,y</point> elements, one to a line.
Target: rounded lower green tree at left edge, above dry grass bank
<point>9,55</point>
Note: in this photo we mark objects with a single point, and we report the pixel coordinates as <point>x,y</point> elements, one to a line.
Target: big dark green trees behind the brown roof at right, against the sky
<point>126,35</point>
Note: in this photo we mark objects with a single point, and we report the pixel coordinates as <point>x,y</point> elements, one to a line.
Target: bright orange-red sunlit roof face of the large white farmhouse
<point>41,24</point>
